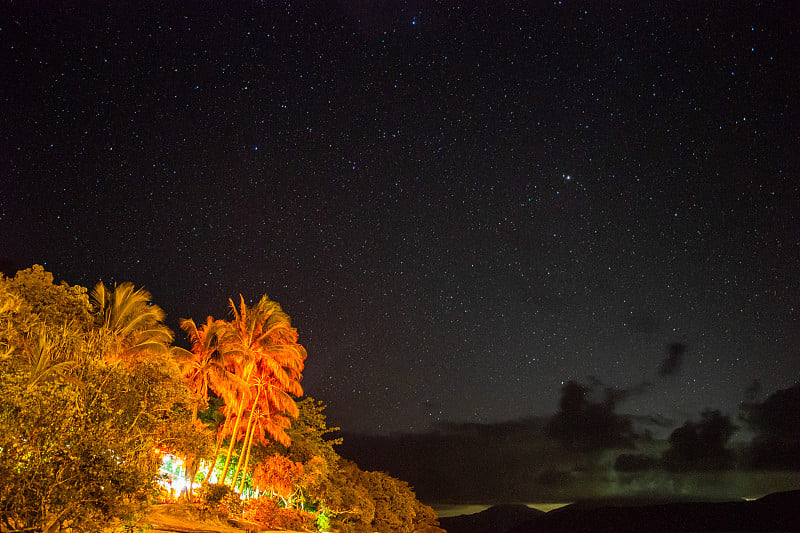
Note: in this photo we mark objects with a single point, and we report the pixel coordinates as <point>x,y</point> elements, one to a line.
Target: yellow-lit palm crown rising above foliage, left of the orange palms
<point>130,324</point>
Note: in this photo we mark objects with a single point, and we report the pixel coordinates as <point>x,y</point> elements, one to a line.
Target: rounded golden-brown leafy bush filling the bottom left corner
<point>51,472</point>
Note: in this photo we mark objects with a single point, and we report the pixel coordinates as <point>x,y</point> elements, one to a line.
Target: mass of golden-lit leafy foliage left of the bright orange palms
<point>78,434</point>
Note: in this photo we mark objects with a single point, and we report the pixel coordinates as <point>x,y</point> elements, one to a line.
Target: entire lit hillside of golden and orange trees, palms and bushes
<point>93,394</point>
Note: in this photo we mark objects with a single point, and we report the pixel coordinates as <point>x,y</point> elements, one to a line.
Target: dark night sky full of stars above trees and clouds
<point>461,205</point>
